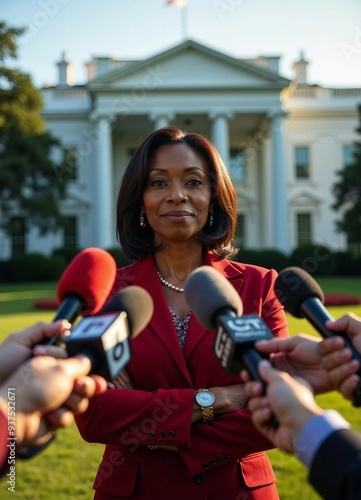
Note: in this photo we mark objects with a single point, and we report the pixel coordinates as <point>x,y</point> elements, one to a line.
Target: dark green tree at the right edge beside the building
<point>347,191</point>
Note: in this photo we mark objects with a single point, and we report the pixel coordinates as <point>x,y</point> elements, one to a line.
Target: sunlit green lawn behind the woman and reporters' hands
<point>67,468</point>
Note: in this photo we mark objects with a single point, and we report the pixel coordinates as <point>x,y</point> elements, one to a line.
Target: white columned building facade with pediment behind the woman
<point>282,140</point>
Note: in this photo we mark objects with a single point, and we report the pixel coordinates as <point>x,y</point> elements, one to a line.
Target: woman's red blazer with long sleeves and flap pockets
<point>219,460</point>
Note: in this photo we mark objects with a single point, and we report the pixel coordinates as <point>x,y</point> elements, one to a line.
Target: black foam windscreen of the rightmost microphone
<point>293,286</point>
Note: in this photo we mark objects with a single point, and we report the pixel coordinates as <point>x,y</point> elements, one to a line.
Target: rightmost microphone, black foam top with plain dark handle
<point>302,297</point>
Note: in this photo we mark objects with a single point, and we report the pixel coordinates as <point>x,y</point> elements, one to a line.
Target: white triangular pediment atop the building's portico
<point>189,65</point>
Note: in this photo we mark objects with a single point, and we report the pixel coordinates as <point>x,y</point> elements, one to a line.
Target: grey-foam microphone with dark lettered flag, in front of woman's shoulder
<point>218,307</point>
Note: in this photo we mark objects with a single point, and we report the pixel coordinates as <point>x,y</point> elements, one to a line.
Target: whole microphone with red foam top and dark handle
<point>84,286</point>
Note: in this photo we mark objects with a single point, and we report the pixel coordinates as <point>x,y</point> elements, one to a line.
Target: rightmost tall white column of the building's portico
<point>279,183</point>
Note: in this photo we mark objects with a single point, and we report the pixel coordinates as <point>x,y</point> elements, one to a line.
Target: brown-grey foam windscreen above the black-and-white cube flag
<point>138,305</point>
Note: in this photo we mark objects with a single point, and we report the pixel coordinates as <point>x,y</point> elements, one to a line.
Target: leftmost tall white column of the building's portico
<point>104,227</point>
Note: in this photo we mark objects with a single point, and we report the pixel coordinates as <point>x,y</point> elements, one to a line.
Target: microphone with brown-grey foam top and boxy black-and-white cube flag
<point>104,338</point>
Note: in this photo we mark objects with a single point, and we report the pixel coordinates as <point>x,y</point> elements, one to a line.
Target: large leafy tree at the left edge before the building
<point>34,169</point>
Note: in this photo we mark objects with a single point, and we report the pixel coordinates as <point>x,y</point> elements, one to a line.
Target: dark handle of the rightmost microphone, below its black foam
<point>317,314</point>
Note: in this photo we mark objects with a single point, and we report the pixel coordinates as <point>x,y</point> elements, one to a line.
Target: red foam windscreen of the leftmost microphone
<point>90,275</point>
